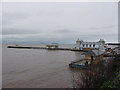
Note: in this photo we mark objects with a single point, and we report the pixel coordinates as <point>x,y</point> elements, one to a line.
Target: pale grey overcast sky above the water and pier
<point>59,22</point>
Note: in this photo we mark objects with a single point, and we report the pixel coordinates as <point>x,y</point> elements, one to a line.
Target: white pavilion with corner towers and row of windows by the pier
<point>80,44</point>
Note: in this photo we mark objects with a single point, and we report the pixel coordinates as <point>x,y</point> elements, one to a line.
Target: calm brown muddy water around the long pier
<point>37,68</point>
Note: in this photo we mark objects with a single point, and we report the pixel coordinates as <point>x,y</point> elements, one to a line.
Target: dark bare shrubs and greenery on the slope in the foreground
<point>101,75</point>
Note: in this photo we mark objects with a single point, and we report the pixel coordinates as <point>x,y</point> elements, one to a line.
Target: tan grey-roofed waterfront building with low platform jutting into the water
<point>90,57</point>
